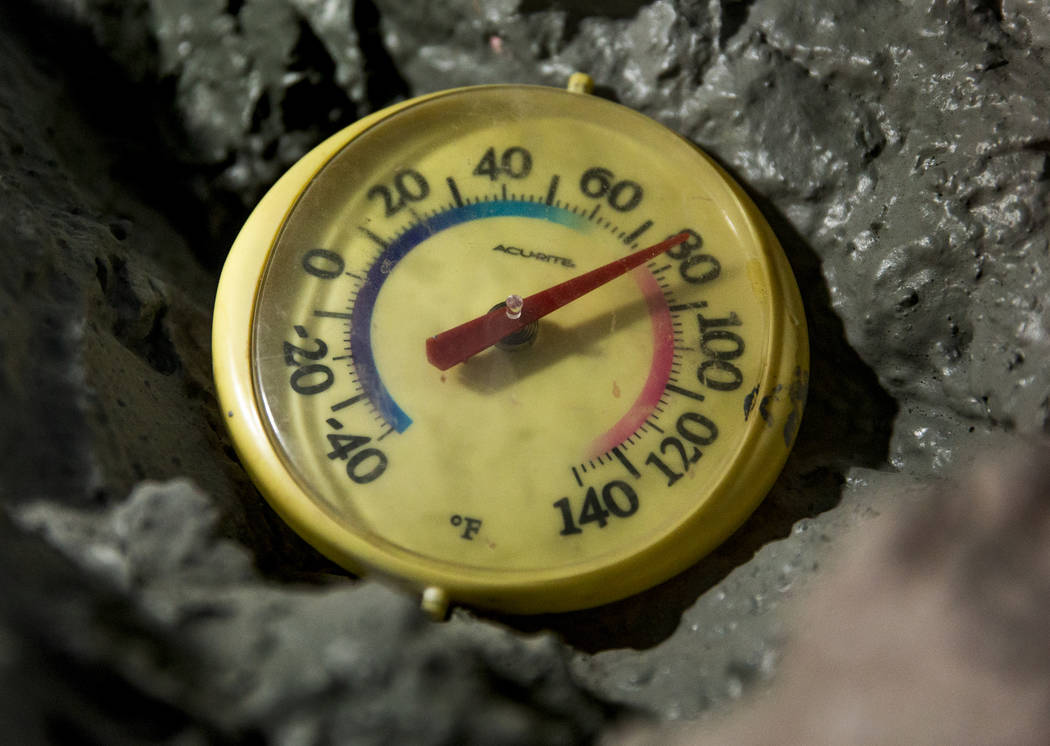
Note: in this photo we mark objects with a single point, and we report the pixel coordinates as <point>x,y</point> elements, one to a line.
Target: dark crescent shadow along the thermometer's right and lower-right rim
<point>848,423</point>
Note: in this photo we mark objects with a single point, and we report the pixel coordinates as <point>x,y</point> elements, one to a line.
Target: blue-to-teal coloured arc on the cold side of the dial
<point>361,323</point>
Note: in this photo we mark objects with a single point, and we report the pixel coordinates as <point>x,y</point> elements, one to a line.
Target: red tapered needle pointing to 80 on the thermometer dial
<point>458,344</point>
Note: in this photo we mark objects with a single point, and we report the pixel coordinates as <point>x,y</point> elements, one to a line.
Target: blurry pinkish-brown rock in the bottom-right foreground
<point>932,631</point>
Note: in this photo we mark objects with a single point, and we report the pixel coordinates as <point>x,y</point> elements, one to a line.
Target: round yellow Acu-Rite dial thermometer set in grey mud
<point>511,346</point>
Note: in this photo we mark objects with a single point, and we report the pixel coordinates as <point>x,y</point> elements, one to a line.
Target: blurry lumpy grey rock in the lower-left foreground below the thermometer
<point>226,654</point>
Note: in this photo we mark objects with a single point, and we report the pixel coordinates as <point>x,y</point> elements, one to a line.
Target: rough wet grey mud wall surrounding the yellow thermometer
<point>901,152</point>
